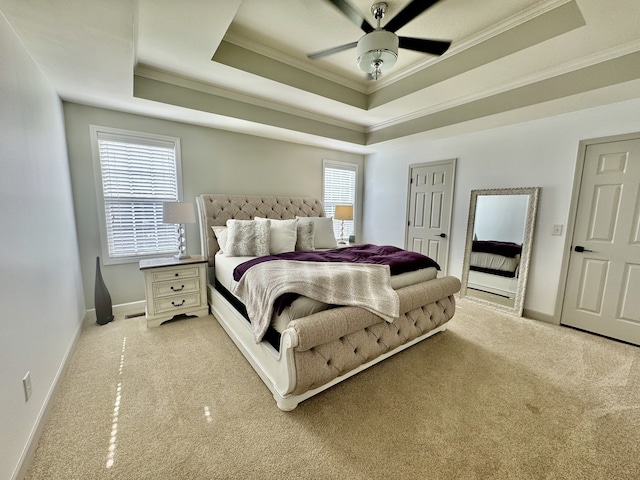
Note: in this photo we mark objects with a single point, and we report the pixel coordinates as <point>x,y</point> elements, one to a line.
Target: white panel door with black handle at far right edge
<point>603,284</point>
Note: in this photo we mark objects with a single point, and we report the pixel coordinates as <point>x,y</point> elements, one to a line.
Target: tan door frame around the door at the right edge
<point>573,212</point>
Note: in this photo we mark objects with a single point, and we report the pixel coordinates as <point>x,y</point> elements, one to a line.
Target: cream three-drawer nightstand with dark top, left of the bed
<point>174,287</point>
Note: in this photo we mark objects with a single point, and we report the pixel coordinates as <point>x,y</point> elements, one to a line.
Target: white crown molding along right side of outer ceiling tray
<point>579,64</point>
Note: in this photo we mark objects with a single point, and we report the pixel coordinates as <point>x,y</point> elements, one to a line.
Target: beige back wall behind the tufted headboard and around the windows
<point>213,161</point>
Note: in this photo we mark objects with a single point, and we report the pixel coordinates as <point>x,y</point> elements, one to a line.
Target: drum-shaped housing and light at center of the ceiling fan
<point>377,52</point>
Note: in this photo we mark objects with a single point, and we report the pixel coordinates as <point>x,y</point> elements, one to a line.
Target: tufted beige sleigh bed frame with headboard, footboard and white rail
<point>323,349</point>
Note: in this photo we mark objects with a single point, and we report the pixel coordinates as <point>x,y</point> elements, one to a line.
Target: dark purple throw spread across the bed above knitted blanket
<point>399,260</point>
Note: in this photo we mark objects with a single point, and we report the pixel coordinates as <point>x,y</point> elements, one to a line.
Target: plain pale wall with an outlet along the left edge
<point>42,304</point>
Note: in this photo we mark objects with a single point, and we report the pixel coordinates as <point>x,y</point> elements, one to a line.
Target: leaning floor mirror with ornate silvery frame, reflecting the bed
<point>498,247</point>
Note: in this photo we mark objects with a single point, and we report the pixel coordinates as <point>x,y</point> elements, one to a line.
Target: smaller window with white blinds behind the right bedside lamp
<point>339,188</point>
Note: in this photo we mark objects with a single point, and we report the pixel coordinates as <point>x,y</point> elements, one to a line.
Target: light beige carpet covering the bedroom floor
<point>493,397</point>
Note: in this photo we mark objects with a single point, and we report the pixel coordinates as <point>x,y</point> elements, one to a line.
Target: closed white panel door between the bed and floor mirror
<point>430,196</point>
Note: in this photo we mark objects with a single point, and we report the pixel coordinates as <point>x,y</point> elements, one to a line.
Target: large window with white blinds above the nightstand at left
<point>135,174</point>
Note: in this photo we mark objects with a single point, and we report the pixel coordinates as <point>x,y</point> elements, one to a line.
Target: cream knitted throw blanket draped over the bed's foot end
<point>359,285</point>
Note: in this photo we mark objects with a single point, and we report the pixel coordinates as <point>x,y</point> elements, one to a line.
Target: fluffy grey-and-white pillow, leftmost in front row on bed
<point>247,238</point>
